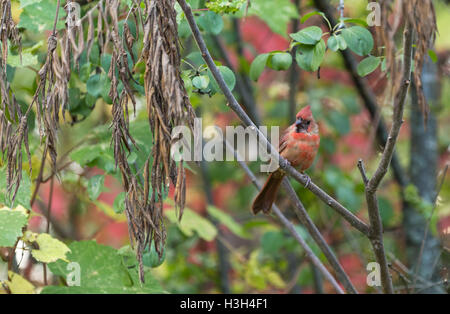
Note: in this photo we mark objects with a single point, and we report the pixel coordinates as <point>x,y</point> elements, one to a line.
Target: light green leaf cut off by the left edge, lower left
<point>11,224</point>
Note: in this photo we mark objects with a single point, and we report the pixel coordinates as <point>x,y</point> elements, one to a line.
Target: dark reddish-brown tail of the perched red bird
<point>266,197</point>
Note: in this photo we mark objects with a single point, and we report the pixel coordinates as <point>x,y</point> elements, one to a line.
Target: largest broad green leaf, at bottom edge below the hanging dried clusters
<point>102,270</point>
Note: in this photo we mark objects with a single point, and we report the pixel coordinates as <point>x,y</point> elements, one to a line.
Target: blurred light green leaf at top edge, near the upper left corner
<point>39,16</point>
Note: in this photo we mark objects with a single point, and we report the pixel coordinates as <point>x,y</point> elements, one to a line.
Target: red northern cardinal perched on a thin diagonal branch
<point>299,145</point>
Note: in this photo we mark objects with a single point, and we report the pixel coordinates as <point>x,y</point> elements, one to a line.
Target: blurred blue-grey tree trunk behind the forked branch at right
<point>423,172</point>
